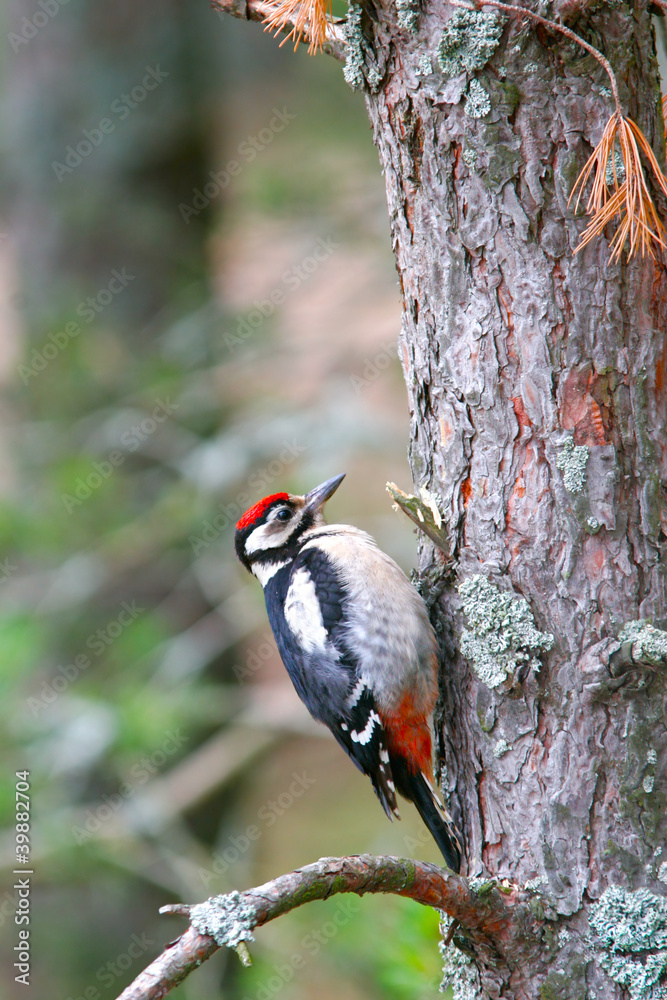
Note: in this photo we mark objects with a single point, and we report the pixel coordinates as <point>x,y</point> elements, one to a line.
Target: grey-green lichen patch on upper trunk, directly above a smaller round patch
<point>469,40</point>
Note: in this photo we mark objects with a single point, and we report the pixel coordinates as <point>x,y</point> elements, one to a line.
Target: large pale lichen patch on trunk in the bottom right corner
<point>631,928</point>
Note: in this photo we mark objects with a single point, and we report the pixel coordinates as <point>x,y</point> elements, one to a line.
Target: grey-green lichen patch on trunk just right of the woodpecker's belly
<point>502,633</point>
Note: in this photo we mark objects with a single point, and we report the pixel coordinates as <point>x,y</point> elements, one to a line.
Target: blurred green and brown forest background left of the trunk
<point>199,306</point>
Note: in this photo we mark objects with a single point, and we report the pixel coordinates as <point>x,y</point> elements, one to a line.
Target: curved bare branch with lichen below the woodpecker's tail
<point>489,912</point>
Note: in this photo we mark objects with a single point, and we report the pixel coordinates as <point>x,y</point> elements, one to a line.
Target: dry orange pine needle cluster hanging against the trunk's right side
<point>620,190</point>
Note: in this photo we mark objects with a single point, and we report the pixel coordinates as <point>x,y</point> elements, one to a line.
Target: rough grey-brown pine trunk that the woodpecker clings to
<point>536,379</point>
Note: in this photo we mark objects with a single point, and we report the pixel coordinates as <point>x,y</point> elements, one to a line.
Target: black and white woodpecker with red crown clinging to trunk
<point>357,643</point>
